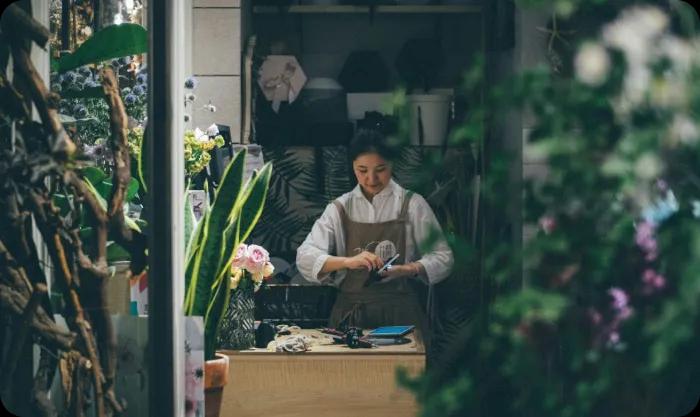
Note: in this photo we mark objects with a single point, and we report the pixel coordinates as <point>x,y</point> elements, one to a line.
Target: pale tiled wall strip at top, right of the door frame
<point>216,63</point>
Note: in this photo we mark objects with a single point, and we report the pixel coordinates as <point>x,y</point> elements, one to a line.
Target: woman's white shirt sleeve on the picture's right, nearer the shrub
<point>438,260</point>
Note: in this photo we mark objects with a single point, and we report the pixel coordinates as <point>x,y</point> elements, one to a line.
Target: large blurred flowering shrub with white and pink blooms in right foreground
<point>608,314</point>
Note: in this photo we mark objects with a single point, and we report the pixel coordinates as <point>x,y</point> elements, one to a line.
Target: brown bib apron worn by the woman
<point>379,304</point>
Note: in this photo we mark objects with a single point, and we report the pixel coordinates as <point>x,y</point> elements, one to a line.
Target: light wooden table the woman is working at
<point>327,381</point>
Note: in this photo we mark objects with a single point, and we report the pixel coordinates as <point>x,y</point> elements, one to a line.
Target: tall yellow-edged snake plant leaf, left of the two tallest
<point>209,255</point>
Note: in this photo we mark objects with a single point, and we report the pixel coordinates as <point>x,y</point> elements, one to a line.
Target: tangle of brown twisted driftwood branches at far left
<point>38,162</point>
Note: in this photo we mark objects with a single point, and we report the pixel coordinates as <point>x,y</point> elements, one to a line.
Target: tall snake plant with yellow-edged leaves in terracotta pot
<point>211,250</point>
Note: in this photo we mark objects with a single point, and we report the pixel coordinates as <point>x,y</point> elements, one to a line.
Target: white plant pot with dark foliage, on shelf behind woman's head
<point>433,112</point>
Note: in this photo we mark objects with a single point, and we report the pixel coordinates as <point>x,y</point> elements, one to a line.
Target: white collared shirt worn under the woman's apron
<point>327,236</point>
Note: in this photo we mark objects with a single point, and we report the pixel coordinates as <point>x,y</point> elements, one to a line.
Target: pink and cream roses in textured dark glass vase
<point>249,268</point>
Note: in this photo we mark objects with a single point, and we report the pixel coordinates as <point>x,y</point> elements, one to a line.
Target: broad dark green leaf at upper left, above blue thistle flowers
<point>111,42</point>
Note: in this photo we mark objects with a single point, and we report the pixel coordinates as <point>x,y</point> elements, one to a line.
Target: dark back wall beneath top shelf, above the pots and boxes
<point>322,42</point>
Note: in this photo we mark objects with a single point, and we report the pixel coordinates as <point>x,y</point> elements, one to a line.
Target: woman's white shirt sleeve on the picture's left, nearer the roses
<point>319,245</point>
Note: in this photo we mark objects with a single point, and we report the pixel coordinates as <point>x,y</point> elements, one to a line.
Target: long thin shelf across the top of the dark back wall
<point>406,9</point>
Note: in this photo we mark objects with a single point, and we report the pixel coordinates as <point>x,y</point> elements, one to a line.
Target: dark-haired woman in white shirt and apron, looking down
<point>358,232</point>
